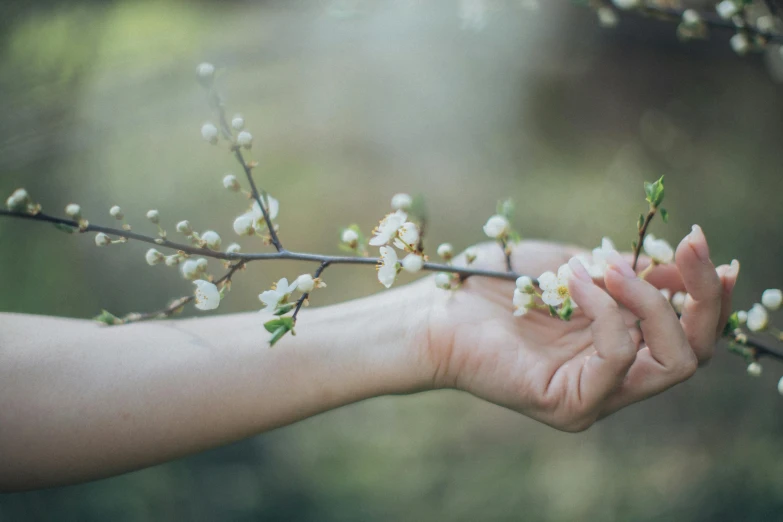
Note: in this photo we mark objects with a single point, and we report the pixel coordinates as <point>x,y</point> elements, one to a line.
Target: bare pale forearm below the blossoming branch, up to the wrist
<point>79,401</point>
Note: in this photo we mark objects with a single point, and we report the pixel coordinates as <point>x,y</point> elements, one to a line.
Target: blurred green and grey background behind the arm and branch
<point>350,102</point>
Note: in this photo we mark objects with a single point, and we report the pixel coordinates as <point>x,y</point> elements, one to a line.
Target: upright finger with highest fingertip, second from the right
<point>702,310</point>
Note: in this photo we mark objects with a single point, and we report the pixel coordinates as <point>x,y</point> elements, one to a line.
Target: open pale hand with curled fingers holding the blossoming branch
<point>569,374</point>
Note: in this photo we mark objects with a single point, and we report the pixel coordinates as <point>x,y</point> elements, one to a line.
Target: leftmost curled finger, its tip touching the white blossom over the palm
<point>604,370</point>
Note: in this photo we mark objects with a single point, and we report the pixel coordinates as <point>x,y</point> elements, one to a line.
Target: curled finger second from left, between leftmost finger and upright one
<point>660,325</point>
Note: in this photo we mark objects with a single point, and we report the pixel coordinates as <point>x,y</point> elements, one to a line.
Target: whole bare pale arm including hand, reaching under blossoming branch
<point>79,401</point>
